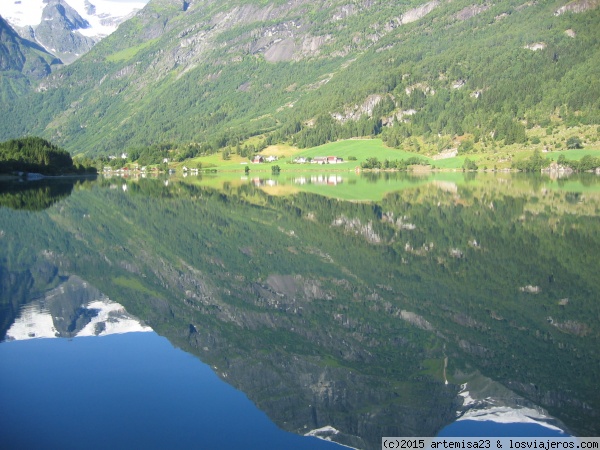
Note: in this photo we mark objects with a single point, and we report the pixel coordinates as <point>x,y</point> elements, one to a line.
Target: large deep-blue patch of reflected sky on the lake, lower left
<point>125,391</point>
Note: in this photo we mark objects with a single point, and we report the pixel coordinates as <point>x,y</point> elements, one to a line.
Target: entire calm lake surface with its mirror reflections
<point>268,312</point>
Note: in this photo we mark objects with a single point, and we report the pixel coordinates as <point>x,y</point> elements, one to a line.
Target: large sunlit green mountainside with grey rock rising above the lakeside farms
<point>197,76</point>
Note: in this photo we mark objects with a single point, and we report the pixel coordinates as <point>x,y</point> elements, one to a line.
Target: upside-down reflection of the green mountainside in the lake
<point>387,318</point>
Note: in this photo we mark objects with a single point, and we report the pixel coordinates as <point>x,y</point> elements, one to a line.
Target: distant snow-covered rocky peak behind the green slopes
<point>67,29</point>
